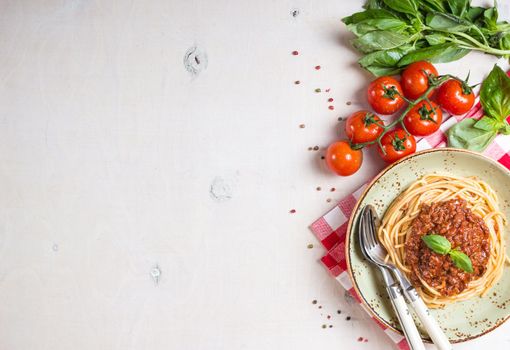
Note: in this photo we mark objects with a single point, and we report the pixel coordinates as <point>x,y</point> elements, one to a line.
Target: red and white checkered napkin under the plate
<point>331,228</point>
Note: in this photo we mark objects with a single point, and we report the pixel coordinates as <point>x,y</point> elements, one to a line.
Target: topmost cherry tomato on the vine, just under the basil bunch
<point>415,80</point>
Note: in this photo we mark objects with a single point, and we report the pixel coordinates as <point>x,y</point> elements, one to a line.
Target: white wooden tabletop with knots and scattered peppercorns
<point>109,235</point>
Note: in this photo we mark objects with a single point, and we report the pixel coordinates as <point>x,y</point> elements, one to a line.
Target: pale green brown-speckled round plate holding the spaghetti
<point>463,320</point>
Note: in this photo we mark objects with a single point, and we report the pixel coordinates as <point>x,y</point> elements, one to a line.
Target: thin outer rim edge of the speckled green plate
<point>350,227</point>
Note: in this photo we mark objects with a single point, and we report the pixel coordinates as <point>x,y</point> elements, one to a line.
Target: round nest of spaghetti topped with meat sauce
<point>473,198</point>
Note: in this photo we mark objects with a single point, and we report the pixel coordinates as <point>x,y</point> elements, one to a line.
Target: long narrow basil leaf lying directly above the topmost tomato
<point>436,54</point>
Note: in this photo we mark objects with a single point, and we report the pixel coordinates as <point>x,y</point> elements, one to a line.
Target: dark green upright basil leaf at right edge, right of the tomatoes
<point>495,94</point>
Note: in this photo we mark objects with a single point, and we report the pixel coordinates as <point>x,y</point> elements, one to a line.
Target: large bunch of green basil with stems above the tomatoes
<point>395,33</point>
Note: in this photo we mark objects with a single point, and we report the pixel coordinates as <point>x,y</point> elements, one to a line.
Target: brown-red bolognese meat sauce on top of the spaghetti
<point>465,231</point>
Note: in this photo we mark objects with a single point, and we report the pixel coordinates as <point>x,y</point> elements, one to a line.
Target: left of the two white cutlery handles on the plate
<point>404,317</point>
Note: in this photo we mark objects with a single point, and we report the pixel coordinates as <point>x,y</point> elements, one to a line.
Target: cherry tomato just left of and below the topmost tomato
<point>385,95</point>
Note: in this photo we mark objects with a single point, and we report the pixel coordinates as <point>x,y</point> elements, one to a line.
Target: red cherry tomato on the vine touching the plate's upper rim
<point>396,144</point>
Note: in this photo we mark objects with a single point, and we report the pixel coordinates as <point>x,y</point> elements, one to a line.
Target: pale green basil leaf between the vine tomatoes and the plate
<point>464,135</point>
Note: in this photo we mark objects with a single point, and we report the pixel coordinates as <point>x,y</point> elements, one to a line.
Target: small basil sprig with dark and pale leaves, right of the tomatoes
<point>476,135</point>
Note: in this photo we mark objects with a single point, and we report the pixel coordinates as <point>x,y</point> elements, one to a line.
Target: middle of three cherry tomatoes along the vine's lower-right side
<point>423,119</point>
